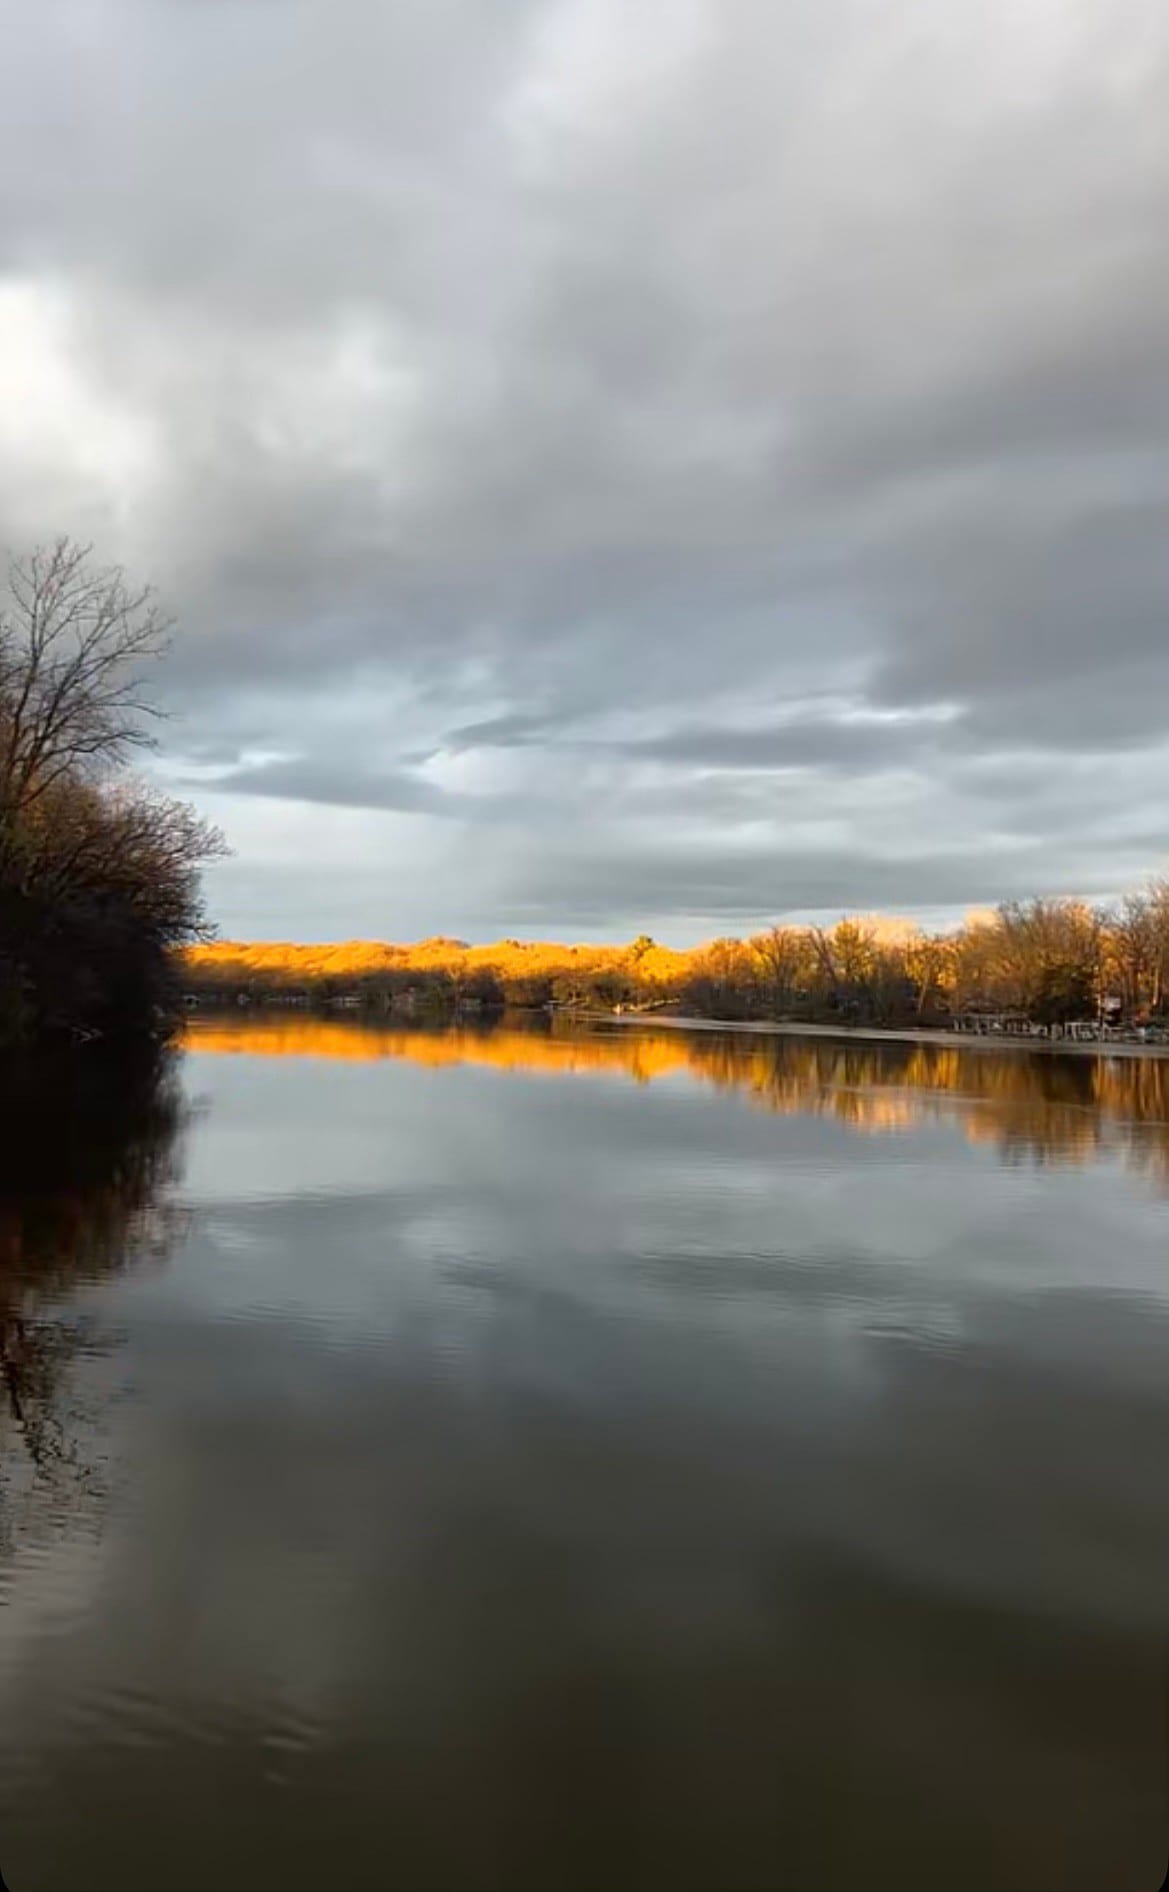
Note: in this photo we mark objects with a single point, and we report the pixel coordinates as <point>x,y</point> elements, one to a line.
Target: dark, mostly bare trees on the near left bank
<point>99,875</point>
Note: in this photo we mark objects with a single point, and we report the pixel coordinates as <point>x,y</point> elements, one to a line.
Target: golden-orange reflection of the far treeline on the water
<point>1032,1108</point>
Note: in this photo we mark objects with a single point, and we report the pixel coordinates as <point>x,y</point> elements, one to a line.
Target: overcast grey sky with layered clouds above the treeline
<point>618,464</point>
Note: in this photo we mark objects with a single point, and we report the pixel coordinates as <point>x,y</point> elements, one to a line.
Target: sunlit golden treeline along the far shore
<point>1047,960</point>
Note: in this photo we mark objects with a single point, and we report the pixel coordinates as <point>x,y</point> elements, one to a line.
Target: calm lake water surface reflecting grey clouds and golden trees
<point>610,1462</point>
